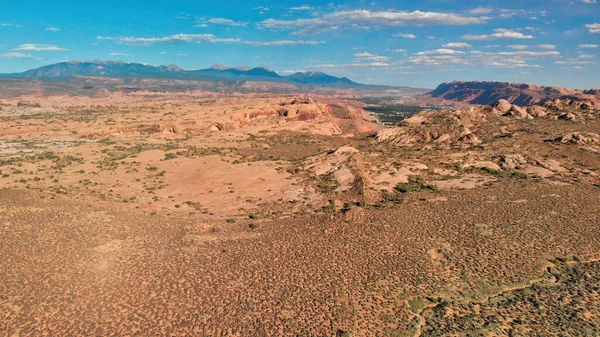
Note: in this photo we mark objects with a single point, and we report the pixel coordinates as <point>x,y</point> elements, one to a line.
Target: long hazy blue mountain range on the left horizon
<point>215,73</point>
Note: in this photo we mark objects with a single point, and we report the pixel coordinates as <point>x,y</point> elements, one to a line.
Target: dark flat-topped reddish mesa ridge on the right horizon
<point>516,93</point>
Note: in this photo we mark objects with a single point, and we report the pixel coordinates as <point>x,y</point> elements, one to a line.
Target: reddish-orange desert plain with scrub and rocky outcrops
<point>211,214</point>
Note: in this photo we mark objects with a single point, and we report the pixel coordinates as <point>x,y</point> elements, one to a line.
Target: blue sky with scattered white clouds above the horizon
<point>411,43</point>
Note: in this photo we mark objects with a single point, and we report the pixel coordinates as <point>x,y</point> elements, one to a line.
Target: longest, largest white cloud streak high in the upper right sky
<point>365,19</point>
